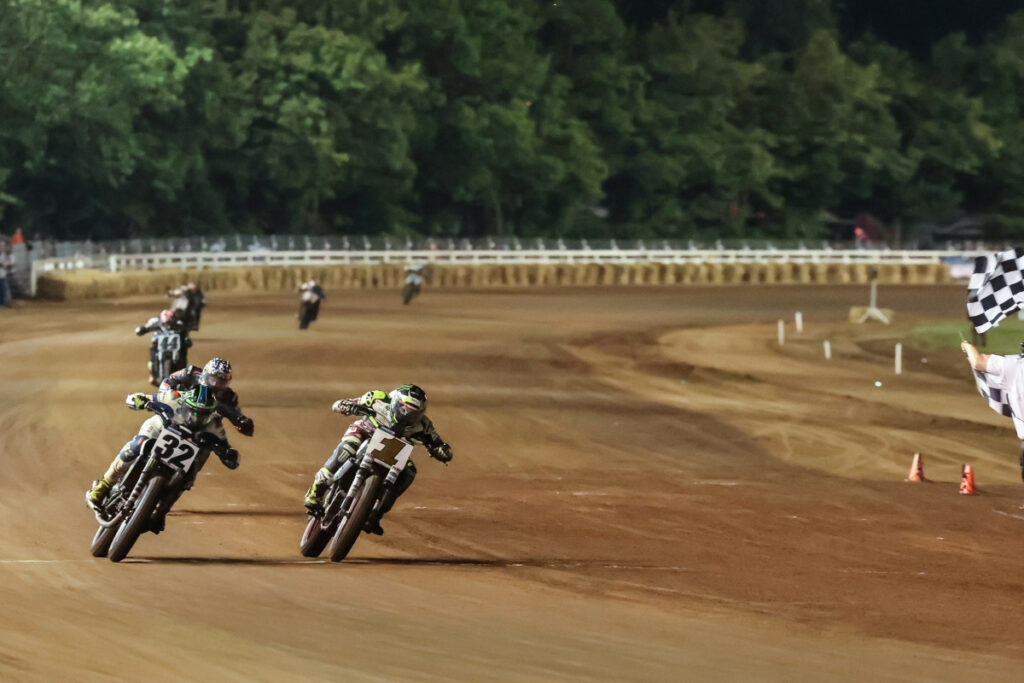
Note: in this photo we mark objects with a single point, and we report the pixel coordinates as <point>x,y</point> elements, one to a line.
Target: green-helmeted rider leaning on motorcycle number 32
<point>195,410</point>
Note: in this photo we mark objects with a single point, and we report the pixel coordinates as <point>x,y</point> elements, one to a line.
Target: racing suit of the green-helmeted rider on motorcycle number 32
<point>142,443</point>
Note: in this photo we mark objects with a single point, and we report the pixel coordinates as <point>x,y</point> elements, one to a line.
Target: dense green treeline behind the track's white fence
<point>742,118</point>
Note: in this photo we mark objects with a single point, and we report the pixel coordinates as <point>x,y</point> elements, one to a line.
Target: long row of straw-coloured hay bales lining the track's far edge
<point>71,286</point>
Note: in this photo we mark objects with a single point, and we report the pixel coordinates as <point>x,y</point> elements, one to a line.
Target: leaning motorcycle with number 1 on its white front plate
<point>355,493</point>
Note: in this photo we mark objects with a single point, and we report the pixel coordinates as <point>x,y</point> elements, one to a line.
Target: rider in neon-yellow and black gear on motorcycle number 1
<point>403,411</point>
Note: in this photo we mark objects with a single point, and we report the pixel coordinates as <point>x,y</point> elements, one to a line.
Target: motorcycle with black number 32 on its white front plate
<point>166,468</point>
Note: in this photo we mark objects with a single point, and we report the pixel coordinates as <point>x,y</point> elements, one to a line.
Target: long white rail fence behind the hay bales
<point>117,263</point>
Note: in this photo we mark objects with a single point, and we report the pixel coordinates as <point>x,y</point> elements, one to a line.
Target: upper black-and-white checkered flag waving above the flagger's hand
<point>996,289</point>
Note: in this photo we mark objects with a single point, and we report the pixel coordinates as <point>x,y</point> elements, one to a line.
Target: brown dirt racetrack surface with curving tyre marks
<point>646,487</point>
